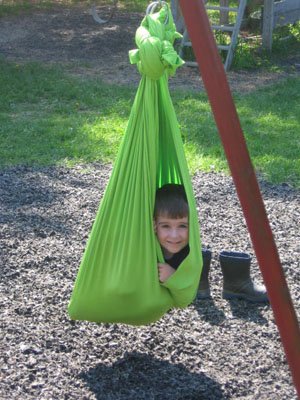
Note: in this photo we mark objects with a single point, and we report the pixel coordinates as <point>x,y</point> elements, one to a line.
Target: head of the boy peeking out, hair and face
<point>171,219</point>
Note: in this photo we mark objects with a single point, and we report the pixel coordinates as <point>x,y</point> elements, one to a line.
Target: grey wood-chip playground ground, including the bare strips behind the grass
<point>214,349</point>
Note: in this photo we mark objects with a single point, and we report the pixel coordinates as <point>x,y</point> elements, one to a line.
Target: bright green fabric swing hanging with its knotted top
<point>118,277</point>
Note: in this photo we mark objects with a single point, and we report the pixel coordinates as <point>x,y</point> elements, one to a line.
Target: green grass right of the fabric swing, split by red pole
<point>270,120</point>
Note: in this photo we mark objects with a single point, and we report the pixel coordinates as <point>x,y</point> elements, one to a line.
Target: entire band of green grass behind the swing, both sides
<point>49,117</point>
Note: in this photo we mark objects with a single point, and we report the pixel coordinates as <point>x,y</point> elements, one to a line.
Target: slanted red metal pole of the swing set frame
<point>215,81</point>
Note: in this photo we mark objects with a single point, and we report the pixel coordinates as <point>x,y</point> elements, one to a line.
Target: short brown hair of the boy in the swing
<point>171,201</point>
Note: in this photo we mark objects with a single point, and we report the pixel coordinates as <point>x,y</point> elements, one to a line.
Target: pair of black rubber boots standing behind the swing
<point>237,283</point>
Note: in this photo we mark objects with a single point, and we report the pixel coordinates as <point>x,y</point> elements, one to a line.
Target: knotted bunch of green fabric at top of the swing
<point>155,55</point>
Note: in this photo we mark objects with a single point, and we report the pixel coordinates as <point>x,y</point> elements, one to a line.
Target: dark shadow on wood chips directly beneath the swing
<point>141,376</point>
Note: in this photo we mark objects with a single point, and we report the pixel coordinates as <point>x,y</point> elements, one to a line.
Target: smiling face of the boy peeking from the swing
<point>172,234</point>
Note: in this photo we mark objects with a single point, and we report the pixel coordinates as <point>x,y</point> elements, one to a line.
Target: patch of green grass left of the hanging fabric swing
<point>48,117</point>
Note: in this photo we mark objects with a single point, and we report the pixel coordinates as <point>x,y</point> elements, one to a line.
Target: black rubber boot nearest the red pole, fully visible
<point>237,283</point>
